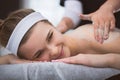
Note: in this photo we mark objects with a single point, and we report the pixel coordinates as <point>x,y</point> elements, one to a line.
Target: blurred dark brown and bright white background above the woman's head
<point>49,9</point>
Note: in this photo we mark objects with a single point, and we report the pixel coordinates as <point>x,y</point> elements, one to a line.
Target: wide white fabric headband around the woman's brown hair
<point>22,27</point>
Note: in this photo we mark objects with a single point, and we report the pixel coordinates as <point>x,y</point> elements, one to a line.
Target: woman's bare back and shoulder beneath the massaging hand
<point>84,35</point>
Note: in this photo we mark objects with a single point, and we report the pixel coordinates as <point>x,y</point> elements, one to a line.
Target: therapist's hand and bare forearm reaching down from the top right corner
<point>103,19</point>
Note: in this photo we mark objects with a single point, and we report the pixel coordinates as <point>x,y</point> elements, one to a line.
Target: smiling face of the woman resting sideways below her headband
<point>44,44</point>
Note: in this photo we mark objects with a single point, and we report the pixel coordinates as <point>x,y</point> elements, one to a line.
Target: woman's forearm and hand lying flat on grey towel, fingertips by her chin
<point>94,60</point>
